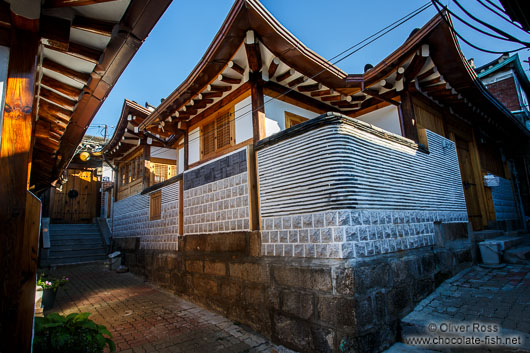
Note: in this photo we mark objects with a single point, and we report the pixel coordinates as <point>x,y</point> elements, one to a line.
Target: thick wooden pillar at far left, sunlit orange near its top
<point>18,248</point>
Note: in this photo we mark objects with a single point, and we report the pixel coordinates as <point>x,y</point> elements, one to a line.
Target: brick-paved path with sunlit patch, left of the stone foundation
<point>143,318</point>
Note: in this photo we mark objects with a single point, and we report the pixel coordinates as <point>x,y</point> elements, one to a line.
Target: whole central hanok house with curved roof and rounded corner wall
<point>315,206</point>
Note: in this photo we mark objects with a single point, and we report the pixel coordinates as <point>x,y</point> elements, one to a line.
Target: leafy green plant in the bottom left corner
<point>74,333</point>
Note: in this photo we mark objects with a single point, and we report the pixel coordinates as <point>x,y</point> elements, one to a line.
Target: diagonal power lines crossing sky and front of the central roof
<point>370,39</point>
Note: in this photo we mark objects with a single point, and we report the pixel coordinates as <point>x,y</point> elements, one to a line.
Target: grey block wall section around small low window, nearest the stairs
<point>131,219</point>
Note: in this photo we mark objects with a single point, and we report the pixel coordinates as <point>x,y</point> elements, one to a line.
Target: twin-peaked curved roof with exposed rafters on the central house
<point>430,62</point>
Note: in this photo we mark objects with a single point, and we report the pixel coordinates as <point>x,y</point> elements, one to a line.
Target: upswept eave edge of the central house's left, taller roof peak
<point>245,15</point>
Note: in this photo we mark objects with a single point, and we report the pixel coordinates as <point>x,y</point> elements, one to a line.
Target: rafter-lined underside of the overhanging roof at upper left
<point>84,48</point>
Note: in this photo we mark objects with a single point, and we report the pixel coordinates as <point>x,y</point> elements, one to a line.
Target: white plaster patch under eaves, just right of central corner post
<point>275,114</point>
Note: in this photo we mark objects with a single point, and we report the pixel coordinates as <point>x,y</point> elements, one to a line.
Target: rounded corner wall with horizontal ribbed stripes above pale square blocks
<point>345,190</point>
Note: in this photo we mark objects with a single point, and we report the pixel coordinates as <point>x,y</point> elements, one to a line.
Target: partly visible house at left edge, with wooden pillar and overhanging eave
<point>58,62</point>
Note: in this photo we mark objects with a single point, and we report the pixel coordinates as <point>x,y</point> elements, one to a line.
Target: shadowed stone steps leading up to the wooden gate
<point>75,243</point>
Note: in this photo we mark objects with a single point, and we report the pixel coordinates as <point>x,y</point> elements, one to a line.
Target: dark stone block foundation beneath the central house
<point>309,305</point>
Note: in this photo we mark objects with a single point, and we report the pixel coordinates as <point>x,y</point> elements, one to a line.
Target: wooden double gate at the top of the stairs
<point>77,202</point>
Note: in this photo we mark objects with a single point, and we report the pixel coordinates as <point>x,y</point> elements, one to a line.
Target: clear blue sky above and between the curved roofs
<point>184,32</point>
